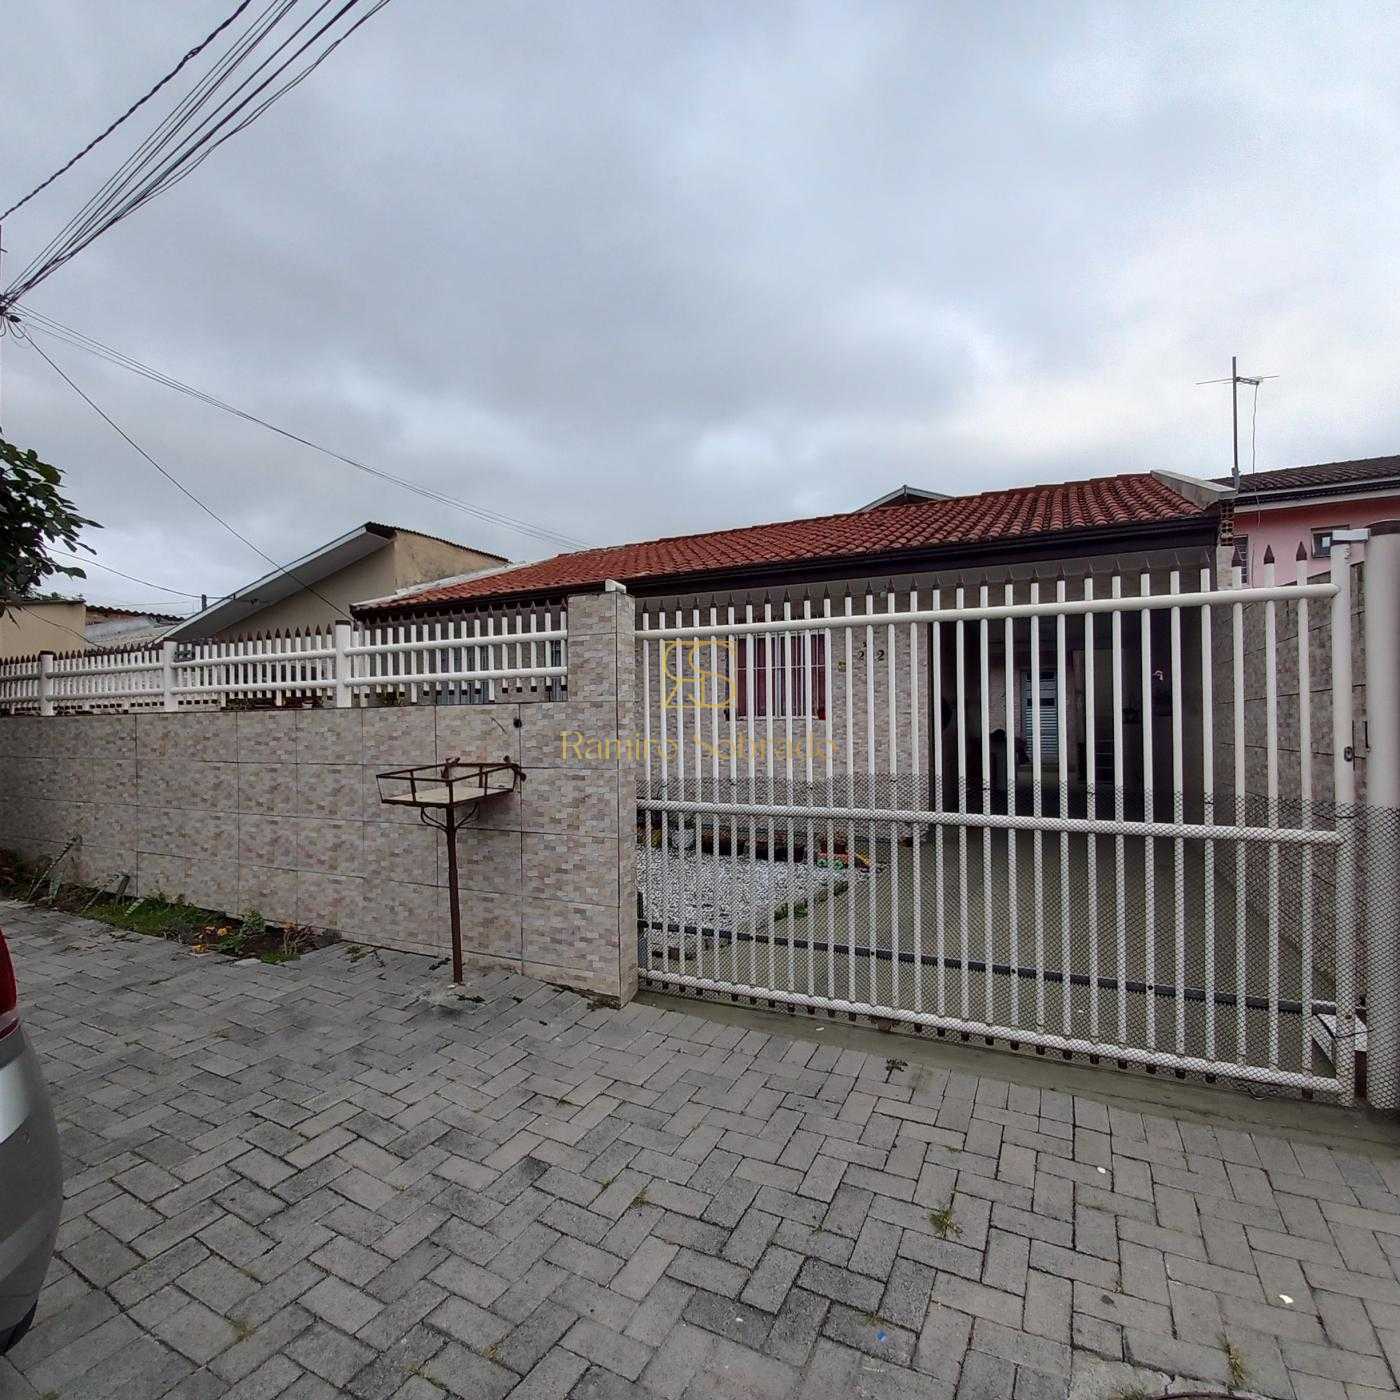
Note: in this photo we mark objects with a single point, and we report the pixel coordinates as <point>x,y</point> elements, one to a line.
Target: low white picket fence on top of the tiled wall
<point>481,660</point>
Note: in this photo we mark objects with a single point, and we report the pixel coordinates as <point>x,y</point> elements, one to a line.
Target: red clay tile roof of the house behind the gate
<point>1074,507</point>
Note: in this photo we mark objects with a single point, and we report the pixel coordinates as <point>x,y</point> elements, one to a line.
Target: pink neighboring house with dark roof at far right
<point>1304,505</point>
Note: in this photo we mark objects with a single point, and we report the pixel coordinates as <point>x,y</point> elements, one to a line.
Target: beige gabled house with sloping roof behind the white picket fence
<point>318,589</point>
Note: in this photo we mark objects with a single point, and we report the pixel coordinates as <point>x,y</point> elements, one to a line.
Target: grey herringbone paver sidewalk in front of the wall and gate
<point>306,1182</point>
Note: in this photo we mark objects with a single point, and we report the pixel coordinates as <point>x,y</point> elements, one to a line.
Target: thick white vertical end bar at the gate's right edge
<point>1345,794</point>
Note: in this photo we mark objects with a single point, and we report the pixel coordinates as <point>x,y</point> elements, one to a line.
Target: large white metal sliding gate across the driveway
<point>1107,824</point>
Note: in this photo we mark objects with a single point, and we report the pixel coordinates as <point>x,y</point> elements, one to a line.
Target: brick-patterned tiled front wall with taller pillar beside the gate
<point>281,813</point>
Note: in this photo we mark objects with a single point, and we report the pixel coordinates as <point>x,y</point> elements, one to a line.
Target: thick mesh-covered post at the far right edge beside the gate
<point>1382,639</point>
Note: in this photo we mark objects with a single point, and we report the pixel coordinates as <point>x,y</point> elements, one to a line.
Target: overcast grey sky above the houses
<point>647,269</point>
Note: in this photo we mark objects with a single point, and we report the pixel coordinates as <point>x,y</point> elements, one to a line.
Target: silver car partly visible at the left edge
<point>31,1175</point>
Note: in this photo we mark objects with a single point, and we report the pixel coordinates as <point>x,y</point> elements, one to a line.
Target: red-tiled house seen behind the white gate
<point>1135,524</point>
